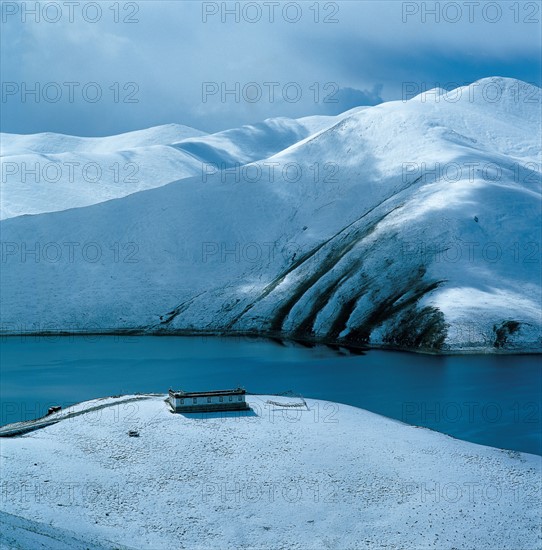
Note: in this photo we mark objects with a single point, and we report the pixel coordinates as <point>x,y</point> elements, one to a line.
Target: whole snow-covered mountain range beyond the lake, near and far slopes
<point>412,224</point>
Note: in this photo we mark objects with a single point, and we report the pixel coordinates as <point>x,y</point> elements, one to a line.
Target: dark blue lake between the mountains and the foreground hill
<point>492,400</point>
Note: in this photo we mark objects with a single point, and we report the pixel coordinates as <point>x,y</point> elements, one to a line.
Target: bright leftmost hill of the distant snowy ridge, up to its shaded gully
<point>49,172</point>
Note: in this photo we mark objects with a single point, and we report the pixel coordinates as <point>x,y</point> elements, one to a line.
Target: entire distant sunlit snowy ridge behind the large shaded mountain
<point>51,172</point>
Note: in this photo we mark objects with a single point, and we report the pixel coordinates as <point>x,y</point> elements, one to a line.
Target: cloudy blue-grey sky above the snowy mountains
<point>110,67</point>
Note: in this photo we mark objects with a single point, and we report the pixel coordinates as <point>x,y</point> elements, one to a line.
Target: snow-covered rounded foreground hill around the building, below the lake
<point>319,475</point>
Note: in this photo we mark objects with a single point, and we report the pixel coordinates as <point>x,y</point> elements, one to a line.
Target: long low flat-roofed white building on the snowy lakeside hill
<point>208,401</point>
